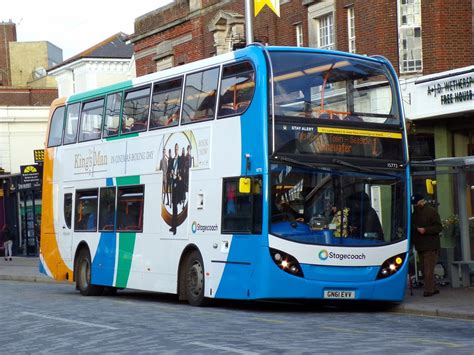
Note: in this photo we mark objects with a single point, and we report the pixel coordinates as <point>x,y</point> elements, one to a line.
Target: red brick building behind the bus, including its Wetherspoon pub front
<point>429,42</point>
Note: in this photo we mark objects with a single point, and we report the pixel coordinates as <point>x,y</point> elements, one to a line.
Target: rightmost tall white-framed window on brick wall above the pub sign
<point>409,35</point>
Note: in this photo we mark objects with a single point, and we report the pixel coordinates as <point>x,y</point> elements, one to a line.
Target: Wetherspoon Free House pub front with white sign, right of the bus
<point>440,110</point>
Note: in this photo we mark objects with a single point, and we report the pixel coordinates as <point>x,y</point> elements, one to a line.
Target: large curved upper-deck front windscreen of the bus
<point>309,85</point>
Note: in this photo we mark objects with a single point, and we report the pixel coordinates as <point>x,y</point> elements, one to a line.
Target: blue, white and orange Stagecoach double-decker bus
<point>265,173</point>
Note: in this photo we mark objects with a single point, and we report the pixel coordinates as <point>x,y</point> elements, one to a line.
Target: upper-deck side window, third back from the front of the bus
<point>166,103</point>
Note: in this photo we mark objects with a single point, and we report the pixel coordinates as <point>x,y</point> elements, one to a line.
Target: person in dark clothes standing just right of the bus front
<point>426,227</point>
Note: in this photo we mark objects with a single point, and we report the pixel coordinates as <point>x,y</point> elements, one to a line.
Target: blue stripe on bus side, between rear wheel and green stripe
<point>103,266</point>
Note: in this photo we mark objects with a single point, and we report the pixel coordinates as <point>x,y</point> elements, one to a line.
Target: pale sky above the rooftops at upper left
<point>74,26</point>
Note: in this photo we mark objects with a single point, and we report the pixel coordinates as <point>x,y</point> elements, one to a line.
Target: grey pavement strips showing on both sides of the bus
<point>450,302</point>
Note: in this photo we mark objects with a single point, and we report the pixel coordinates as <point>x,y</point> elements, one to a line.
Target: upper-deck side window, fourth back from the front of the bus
<point>135,110</point>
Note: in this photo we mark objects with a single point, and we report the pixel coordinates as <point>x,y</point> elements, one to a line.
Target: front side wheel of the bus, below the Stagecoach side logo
<point>195,279</point>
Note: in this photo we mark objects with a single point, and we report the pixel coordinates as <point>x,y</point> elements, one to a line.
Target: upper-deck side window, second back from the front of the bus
<point>200,96</point>
